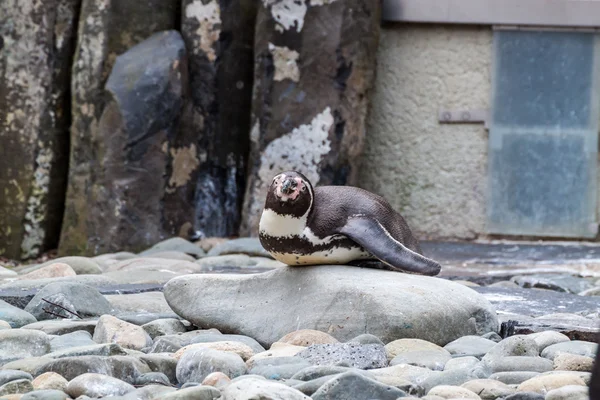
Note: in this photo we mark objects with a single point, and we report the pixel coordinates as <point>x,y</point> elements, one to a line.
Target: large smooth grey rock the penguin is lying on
<point>341,300</point>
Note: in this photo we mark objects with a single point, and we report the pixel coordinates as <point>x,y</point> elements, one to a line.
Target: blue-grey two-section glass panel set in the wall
<point>543,135</point>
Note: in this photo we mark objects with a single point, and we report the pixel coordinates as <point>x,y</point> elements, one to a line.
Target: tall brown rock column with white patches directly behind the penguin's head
<point>314,66</point>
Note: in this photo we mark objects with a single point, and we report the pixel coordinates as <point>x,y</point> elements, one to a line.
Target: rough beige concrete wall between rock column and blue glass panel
<point>433,174</point>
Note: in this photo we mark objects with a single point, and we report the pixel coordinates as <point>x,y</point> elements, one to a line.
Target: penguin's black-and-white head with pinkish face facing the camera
<point>290,193</point>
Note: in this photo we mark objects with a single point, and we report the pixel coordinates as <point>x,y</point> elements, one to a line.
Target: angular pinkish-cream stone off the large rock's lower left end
<point>125,334</point>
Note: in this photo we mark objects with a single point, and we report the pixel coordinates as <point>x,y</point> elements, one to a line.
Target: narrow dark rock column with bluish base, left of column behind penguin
<point>216,118</point>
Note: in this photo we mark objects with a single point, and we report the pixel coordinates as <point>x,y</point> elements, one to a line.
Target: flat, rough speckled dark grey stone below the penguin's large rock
<point>367,356</point>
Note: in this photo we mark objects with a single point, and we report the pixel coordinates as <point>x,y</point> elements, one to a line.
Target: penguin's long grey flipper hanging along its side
<point>375,239</point>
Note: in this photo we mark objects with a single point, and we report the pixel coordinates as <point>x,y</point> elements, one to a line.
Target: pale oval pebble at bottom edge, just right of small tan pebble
<point>97,385</point>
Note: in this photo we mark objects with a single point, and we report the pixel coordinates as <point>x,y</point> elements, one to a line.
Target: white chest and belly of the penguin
<point>307,248</point>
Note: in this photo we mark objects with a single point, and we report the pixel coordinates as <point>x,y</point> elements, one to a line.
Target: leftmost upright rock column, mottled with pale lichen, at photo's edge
<point>36,52</point>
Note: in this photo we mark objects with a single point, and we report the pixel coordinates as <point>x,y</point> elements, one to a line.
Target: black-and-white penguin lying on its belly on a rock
<point>305,225</point>
